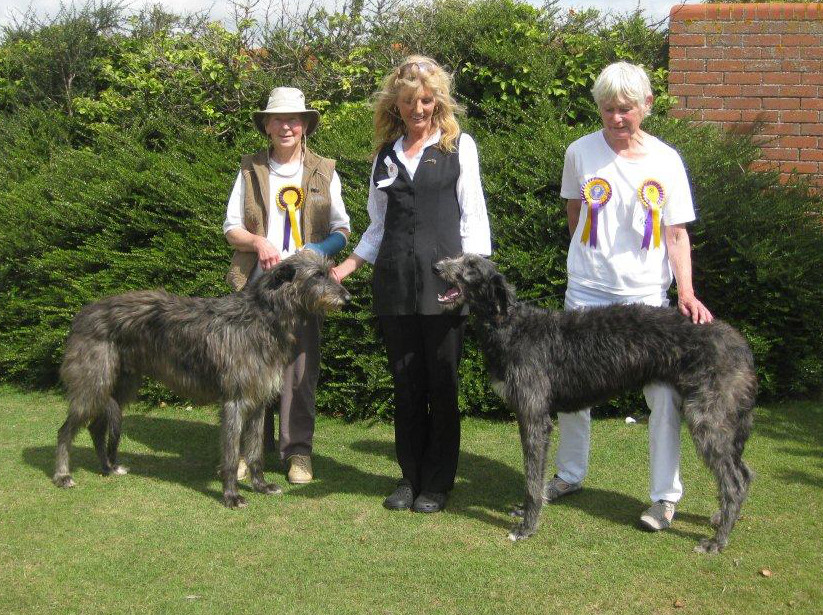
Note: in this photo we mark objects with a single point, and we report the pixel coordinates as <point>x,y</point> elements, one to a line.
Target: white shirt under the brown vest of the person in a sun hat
<point>280,176</point>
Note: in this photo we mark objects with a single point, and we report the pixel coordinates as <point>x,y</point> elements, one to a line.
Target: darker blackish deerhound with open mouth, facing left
<point>541,361</point>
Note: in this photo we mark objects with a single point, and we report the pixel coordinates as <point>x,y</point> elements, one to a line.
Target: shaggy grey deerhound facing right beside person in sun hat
<point>230,349</point>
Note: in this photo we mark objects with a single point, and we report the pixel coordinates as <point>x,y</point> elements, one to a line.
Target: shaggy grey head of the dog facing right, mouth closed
<point>302,282</point>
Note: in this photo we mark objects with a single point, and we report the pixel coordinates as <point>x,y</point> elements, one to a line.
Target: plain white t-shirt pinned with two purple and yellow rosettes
<point>619,264</point>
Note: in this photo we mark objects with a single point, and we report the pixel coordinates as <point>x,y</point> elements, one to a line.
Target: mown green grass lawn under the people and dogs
<point>159,541</point>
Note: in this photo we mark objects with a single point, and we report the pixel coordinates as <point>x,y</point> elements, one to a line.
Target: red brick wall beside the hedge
<point>738,64</point>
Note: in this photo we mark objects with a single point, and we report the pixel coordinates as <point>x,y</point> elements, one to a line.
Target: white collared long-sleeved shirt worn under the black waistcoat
<point>475,234</point>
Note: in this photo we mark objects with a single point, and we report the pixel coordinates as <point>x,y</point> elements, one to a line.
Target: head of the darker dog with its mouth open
<point>476,282</point>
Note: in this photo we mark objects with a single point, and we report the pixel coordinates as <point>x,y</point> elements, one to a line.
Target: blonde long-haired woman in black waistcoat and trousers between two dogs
<point>425,203</point>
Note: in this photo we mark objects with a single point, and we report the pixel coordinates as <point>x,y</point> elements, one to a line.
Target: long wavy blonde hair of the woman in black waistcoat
<point>416,73</point>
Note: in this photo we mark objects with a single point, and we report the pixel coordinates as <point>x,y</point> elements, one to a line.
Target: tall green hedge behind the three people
<point>128,190</point>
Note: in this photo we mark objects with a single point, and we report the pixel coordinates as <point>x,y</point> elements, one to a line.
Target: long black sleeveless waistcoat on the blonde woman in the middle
<point>422,226</point>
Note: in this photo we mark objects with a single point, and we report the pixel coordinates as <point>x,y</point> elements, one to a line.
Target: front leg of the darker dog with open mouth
<point>535,428</point>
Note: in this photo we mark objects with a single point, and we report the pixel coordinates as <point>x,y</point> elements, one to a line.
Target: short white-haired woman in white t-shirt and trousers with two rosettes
<point>628,201</point>
